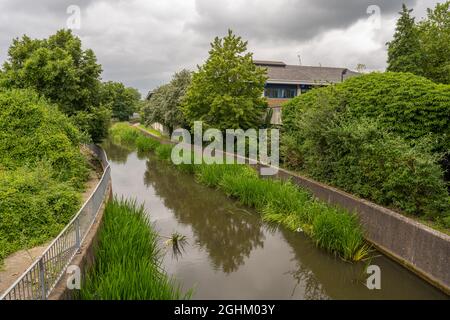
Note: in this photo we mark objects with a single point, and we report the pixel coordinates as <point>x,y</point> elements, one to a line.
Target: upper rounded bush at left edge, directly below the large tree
<point>32,130</point>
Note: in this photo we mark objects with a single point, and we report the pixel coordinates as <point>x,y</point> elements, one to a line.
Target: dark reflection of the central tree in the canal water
<point>224,229</point>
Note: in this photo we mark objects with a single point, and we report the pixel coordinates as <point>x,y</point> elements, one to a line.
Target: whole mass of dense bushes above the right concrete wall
<point>378,136</point>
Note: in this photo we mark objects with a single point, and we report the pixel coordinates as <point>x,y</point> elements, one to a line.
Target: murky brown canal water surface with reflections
<point>232,254</point>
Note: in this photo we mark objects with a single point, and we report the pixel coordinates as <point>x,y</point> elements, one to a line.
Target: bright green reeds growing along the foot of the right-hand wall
<point>333,229</point>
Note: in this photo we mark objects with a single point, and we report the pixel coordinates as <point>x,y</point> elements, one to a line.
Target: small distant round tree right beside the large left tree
<point>121,100</point>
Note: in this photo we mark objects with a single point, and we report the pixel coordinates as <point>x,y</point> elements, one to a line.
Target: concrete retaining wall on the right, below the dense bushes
<point>421,249</point>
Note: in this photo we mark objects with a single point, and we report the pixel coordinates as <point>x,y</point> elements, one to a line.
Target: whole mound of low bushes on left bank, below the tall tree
<point>42,170</point>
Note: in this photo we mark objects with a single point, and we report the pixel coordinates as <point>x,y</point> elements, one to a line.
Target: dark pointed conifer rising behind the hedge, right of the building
<point>404,54</point>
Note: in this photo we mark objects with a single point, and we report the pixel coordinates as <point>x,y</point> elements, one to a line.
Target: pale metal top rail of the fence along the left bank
<point>106,170</point>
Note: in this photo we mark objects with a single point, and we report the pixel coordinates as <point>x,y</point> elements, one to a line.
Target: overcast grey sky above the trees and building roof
<point>143,42</point>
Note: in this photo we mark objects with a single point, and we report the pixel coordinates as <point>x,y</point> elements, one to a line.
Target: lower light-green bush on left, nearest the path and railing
<point>34,206</point>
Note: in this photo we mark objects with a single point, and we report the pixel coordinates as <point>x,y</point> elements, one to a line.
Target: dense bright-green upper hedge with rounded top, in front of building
<point>405,104</point>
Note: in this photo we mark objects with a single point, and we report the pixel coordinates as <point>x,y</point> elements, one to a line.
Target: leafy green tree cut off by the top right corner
<point>435,40</point>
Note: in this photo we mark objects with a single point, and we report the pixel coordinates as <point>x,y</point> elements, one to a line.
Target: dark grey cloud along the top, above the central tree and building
<point>298,20</point>
